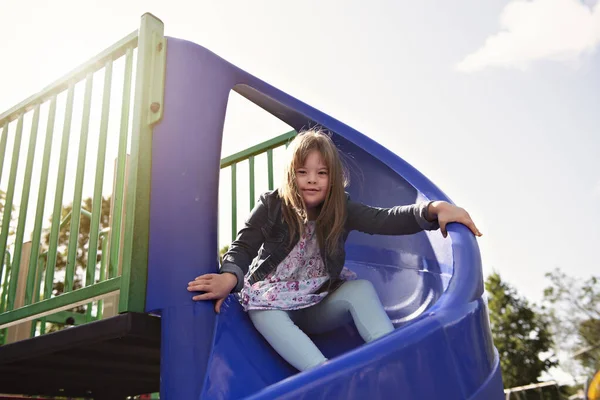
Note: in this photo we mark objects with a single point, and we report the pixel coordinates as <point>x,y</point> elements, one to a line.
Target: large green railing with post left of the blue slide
<point>130,206</point>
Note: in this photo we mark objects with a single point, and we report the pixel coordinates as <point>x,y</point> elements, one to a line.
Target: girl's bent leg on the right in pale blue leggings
<point>354,298</point>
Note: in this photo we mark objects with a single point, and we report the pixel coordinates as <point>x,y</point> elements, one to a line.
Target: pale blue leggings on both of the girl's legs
<point>285,330</point>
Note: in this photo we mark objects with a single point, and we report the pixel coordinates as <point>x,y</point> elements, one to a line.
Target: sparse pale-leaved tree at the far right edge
<point>575,313</point>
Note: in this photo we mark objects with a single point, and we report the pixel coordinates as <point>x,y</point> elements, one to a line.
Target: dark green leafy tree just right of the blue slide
<point>520,332</point>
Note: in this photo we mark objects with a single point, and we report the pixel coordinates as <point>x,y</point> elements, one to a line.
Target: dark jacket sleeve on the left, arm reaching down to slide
<point>245,247</point>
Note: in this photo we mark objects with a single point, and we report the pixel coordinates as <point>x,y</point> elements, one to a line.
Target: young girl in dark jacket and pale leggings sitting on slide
<point>287,262</point>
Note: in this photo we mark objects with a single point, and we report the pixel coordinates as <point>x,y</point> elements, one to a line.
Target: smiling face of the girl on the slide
<point>312,180</point>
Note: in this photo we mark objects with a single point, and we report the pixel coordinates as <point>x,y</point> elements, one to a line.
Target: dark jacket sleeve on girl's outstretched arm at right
<point>399,220</point>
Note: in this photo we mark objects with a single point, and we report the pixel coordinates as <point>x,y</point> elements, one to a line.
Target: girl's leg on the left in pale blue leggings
<point>286,338</point>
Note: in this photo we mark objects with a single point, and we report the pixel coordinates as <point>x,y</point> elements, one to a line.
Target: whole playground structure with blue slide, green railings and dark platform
<point>141,332</point>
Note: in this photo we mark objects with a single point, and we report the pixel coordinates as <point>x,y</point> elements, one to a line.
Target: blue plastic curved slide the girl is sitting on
<point>431,287</point>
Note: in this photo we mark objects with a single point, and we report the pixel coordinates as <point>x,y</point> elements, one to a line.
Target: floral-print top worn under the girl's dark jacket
<point>295,282</point>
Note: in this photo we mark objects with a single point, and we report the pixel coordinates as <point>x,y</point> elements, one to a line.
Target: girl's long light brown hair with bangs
<point>332,215</point>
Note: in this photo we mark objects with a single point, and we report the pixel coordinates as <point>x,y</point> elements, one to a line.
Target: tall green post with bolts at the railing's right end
<point>147,110</point>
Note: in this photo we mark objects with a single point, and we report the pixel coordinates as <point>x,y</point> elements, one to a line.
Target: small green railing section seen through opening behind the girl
<point>249,154</point>
